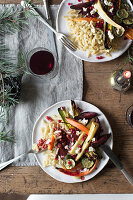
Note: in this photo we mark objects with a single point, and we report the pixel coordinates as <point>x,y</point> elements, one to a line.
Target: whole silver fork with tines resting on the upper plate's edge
<point>61,37</point>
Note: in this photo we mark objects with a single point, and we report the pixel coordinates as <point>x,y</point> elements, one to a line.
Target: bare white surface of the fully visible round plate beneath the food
<point>53,111</point>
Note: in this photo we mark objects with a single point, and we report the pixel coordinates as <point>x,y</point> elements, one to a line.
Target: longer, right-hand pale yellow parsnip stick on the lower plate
<point>93,129</point>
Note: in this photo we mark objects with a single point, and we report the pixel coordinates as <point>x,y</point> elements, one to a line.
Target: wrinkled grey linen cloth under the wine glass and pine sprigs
<point>37,96</point>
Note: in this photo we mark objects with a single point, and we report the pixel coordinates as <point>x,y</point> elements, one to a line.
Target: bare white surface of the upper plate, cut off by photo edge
<point>62,27</point>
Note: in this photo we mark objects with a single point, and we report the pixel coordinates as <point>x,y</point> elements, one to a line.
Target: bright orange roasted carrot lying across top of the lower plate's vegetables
<point>78,125</point>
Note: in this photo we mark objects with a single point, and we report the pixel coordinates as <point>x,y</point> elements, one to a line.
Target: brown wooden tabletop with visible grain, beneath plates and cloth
<point>16,183</point>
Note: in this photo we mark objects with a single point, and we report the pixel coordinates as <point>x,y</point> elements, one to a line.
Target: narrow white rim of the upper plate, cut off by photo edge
<point>98,61</point>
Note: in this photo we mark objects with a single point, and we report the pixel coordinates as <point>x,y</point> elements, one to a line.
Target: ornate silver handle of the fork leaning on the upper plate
<point>33,11</point>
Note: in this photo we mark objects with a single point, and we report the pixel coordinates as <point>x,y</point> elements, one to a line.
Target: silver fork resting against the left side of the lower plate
<point>5,164</point>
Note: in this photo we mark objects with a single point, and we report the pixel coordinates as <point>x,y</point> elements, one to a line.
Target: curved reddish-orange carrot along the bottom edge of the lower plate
<point>71,173</point>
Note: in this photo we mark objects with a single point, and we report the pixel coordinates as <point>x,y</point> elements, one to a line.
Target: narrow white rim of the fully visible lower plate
<point>33,131</point>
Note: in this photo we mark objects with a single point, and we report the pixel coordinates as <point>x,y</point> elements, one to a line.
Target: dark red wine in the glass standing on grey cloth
<point>42,62</point>
